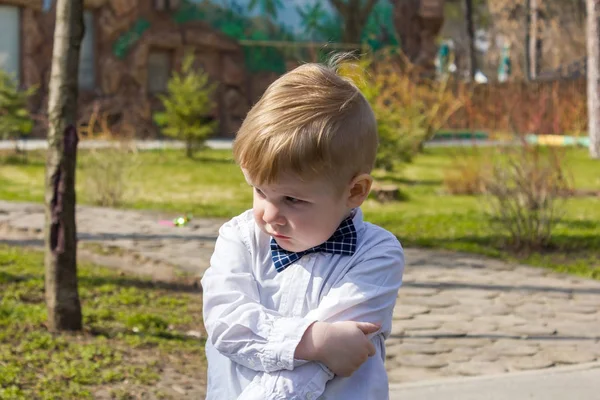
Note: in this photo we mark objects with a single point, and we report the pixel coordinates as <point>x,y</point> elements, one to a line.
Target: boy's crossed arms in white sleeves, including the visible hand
<point>263,340</point>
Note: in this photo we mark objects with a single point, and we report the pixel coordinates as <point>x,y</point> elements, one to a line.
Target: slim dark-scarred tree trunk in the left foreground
<point>62,298</point>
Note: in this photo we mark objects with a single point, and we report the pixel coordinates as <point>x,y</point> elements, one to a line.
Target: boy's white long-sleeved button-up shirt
<point>255,316</point>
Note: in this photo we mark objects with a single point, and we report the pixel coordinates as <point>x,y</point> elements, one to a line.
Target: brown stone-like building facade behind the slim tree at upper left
<point>128,52</point>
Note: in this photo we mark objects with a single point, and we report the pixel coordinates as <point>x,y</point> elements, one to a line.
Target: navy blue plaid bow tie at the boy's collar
<point>343,241</point>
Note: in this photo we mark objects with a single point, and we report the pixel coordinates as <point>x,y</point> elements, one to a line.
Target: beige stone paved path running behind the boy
<point>457,314</point>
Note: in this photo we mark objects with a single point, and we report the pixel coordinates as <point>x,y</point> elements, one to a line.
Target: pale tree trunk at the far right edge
<point>593,75</point>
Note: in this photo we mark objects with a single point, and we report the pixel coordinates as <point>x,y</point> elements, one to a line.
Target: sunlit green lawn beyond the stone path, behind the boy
<point>211,185</point>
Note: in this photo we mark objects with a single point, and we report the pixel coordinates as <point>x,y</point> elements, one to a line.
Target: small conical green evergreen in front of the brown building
<point>188,104</point>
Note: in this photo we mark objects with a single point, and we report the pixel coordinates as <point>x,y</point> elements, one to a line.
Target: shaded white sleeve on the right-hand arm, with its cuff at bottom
<point>367,293</point>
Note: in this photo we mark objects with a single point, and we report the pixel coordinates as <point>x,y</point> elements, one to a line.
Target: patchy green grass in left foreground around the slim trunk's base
<point>133,330</point>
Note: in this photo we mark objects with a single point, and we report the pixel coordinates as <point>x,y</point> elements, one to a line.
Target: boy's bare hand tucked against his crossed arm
<point>342,346</point>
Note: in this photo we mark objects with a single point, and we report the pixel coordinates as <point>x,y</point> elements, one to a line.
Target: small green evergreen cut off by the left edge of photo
<point>15,120</point>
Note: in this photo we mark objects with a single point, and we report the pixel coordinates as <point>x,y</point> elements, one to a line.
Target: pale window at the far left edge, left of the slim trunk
<point>10,40</point>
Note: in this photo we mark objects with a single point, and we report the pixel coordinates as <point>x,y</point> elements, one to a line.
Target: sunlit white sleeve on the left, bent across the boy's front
<point>238,326</point>
